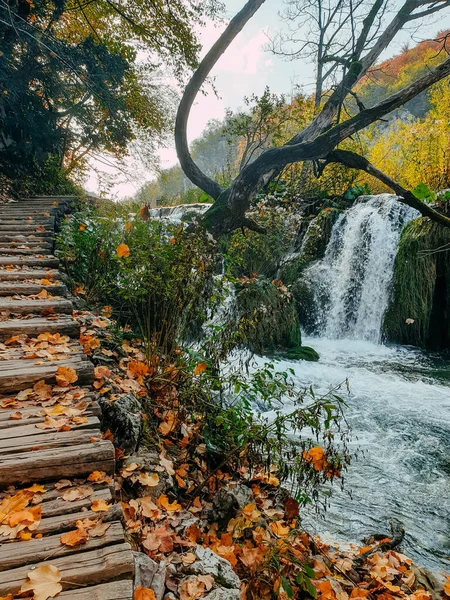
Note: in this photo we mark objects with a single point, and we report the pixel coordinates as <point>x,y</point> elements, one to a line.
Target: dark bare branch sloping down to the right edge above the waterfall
<point>355,161</point>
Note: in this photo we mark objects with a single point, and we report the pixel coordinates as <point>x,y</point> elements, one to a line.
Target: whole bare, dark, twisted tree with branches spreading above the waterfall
<point>319,141</point>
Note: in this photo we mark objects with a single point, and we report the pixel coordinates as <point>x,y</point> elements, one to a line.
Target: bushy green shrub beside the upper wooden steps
<point>158,287</point>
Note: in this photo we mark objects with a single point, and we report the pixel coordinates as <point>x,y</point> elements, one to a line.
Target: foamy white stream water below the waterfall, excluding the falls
<point>399,413</point>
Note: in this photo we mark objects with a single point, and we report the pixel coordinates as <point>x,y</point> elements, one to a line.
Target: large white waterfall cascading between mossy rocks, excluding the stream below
<point>352,282</point>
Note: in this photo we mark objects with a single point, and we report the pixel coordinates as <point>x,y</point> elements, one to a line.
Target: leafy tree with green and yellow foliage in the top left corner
<point>71,84</point>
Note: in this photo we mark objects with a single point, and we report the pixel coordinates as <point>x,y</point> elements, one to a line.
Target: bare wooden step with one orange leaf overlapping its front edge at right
<point>14,378</point>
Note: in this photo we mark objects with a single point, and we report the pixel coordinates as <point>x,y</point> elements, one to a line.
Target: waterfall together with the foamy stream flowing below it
<point>399,401</point>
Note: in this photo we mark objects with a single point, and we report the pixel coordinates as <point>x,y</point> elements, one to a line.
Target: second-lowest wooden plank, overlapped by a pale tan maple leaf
<point>85,568</point>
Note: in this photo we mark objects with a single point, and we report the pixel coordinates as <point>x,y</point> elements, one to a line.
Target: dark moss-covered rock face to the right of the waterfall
<point>421,287</point>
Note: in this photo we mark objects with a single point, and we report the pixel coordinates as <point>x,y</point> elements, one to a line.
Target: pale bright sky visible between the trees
<point>246,67</point>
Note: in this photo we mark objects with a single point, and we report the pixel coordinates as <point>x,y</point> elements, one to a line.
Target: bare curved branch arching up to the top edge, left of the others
<point>188,165</point>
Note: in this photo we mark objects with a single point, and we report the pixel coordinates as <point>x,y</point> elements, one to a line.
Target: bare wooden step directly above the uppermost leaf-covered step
<point>63,324</point>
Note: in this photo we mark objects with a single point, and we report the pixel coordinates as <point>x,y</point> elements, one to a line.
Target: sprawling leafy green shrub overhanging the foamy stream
<point>249,417</point>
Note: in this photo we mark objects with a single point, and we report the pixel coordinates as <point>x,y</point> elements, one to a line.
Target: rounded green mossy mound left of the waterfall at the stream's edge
<point>267,316</point>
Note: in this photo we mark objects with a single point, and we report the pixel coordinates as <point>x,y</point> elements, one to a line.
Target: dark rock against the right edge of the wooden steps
<point>123,418</point>
